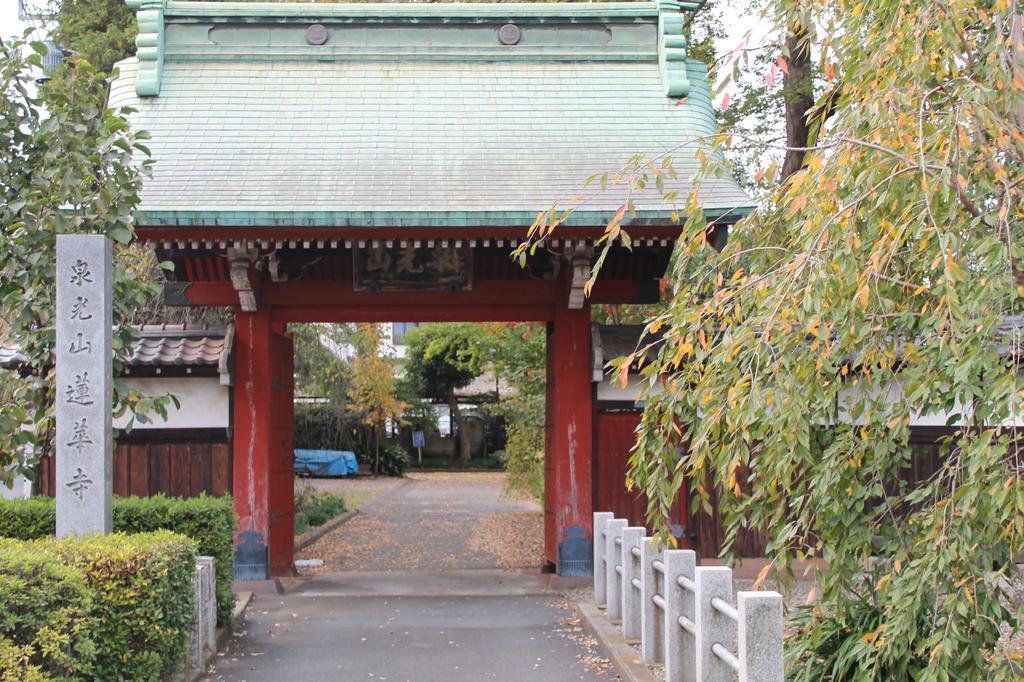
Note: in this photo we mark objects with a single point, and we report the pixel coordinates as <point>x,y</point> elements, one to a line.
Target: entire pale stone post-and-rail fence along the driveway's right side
<point>682,614</point>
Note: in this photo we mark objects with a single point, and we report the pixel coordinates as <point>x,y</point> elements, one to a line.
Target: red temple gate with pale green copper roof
<point>378,162</point>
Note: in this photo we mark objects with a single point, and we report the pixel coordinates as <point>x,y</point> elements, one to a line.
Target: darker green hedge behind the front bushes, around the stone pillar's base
<point>208,521</point>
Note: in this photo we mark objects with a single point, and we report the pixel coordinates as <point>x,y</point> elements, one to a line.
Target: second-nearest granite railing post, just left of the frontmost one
<point>713,627</point>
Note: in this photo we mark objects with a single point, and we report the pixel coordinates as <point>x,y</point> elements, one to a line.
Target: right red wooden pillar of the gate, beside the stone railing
<point>569,441</point>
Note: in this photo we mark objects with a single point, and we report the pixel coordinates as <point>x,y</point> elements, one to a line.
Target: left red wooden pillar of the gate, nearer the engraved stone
<point>263,438</point>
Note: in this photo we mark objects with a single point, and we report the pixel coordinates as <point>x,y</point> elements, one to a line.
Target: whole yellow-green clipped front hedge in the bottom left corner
<point>134,617</point>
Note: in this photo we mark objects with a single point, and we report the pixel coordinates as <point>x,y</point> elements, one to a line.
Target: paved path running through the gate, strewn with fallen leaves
<point>422,602</point>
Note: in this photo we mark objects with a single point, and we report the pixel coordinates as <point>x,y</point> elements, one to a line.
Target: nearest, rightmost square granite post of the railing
<point>760,636</point>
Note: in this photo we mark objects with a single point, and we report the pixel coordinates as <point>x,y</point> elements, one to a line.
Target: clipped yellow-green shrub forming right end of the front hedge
<point>143,600</point>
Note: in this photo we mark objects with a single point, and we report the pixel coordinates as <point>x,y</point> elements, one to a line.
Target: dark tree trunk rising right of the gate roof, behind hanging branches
<point>798,93</point>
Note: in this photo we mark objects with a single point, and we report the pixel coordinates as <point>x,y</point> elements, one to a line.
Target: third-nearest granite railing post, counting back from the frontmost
<point>680,646</point>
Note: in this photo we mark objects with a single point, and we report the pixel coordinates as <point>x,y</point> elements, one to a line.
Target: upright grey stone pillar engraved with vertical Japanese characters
<point>84,391</point>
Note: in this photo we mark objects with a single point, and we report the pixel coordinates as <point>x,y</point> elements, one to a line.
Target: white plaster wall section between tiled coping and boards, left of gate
<point>205,404</point>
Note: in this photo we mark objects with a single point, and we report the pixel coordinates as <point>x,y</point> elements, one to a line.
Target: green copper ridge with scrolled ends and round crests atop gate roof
<point>175,30</point>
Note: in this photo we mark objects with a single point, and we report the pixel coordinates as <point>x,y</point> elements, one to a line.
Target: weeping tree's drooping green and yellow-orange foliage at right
<point>879,282</point>
